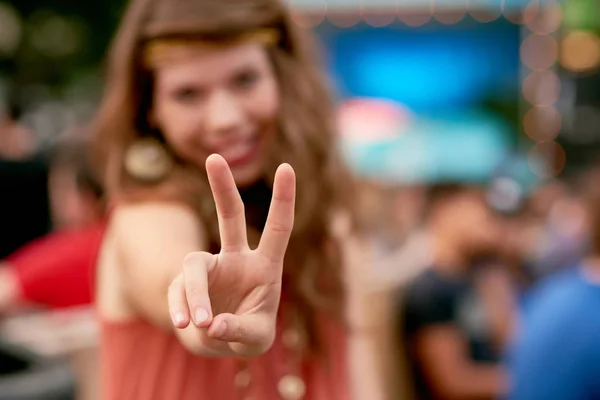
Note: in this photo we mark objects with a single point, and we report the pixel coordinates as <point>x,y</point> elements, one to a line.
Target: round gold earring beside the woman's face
<point>148,160</point>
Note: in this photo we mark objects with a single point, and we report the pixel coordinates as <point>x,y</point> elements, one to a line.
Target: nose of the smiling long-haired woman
<point>224,114</point>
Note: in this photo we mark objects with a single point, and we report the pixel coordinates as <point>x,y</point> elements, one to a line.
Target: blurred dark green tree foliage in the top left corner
<point>60,39</point>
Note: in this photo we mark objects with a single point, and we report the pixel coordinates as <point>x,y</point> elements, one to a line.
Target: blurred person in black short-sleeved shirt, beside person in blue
<point>448,323</point>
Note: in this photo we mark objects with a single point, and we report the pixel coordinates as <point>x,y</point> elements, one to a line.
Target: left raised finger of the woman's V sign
<point>230,209</point>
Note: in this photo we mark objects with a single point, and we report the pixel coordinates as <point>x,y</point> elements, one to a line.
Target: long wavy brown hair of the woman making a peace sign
<point>305,139</point>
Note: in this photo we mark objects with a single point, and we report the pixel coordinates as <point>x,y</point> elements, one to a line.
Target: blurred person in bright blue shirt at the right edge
<point>557,353</point>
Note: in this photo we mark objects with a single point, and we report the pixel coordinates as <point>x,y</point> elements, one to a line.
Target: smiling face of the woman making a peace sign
<point>223,101</point>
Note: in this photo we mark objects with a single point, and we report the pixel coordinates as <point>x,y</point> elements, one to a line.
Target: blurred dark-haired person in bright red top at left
<point>56,270</point>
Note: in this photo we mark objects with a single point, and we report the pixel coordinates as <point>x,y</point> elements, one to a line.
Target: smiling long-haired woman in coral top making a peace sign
<point>213,94</point>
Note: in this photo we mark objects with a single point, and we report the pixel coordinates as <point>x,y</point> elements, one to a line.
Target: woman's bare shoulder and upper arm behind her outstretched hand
<point>145,248</point>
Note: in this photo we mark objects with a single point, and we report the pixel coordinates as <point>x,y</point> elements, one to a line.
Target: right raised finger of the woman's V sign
<point>280,220</point>
